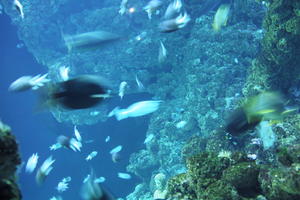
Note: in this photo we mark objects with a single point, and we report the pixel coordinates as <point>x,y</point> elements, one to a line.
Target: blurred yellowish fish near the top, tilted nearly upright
<point>221,17</point>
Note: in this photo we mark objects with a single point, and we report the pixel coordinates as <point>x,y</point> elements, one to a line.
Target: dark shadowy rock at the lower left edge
<point>9,160</point>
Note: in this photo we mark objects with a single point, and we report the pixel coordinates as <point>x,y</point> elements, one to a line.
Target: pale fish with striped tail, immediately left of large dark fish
<point>28,82</point>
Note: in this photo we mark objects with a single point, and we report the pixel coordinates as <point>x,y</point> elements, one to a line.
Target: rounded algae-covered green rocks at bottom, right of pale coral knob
<point>213,176</point>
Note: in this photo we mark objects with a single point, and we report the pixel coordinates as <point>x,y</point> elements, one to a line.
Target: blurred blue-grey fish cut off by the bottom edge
<point>91,190</point>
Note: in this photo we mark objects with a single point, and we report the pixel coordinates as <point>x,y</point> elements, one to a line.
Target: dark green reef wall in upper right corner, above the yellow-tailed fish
<point>276,67</point>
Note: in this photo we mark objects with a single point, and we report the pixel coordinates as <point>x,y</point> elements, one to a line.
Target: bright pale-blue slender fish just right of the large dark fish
<point>137,109</point>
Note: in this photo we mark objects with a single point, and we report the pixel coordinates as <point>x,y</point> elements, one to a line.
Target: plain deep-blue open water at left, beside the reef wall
<point>35,132</point>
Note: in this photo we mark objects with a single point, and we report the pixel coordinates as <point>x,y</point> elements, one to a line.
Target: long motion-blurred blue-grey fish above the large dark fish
<point>89,40</point>
